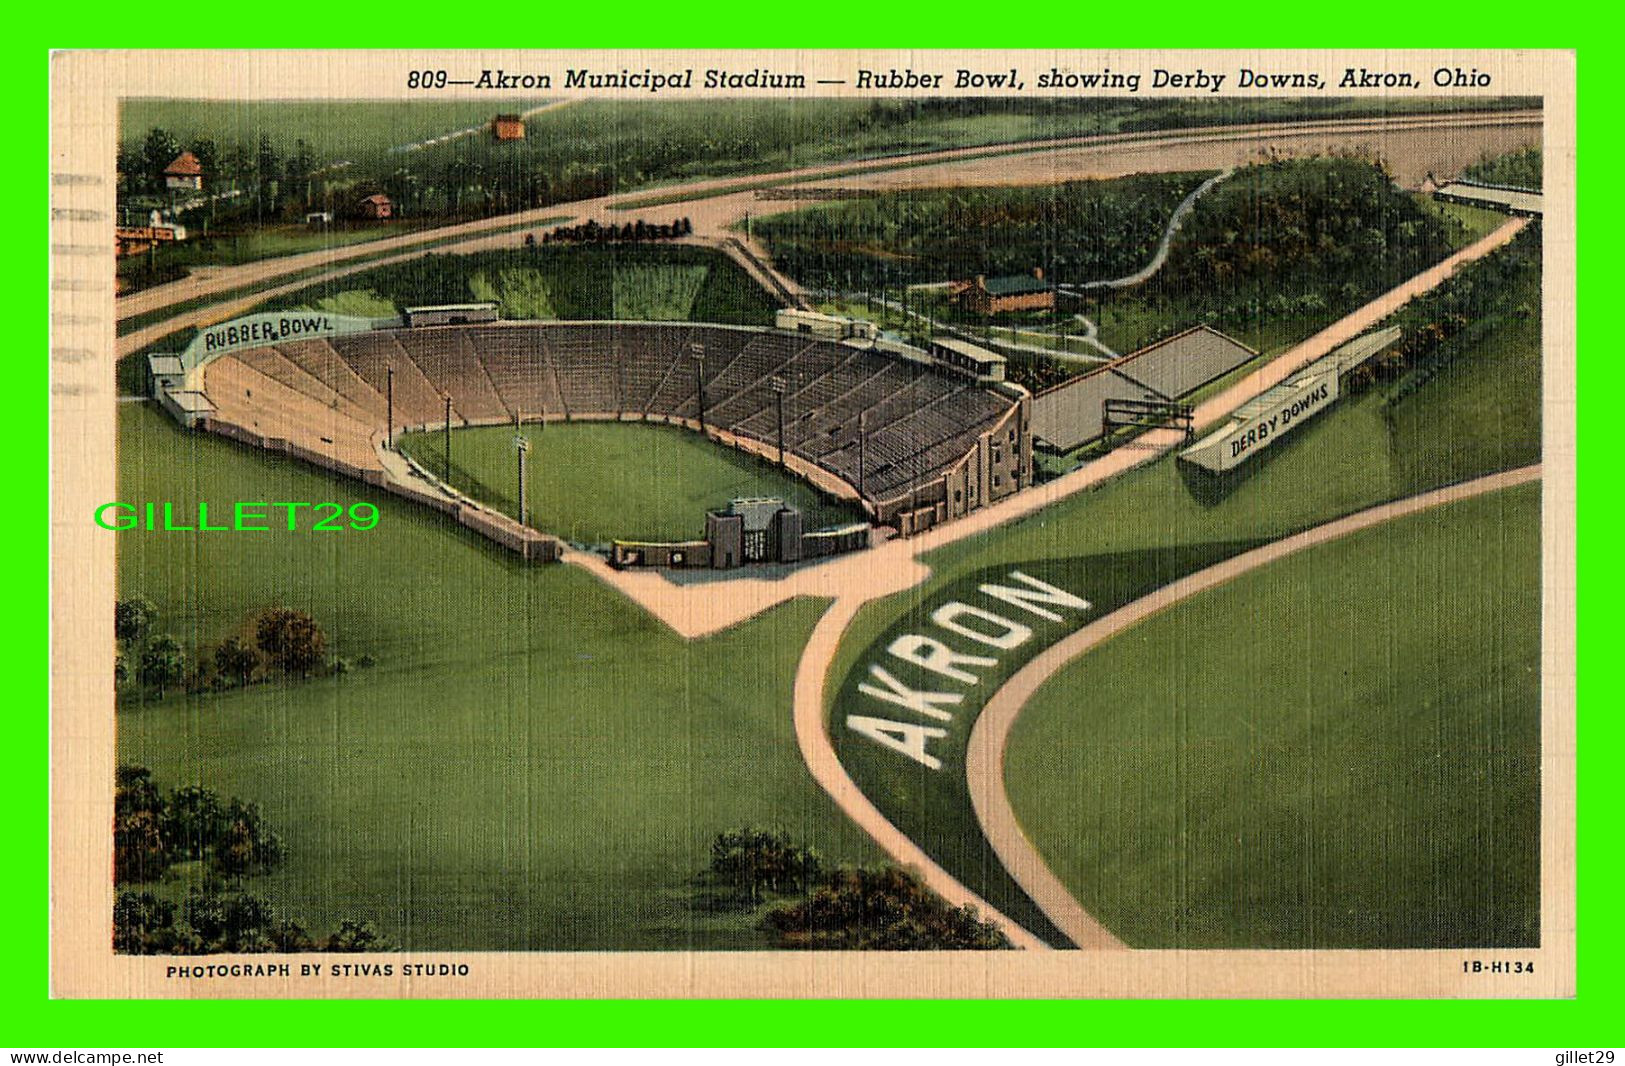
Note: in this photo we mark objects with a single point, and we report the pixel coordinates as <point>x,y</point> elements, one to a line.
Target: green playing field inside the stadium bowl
<point>599,482</point>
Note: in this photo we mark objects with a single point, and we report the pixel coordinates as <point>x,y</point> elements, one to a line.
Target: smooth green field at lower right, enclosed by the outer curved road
<point>1341,750</point>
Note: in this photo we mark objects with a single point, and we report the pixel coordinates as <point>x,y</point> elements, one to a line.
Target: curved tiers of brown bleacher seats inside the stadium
<point>917,420</point>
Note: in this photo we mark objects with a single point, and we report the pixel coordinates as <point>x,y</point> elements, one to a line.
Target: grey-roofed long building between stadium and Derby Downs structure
<point>1073,414</point>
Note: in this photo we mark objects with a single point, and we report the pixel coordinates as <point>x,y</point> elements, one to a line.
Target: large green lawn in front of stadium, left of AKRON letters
<point>532,765</point>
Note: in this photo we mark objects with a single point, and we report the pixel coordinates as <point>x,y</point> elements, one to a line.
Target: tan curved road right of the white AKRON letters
<point>990,734</point>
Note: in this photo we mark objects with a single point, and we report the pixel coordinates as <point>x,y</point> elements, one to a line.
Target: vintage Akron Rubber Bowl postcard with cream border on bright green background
<point>813,524</point>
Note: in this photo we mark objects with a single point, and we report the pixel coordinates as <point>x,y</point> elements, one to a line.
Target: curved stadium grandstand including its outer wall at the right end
<point>917,443</point>
